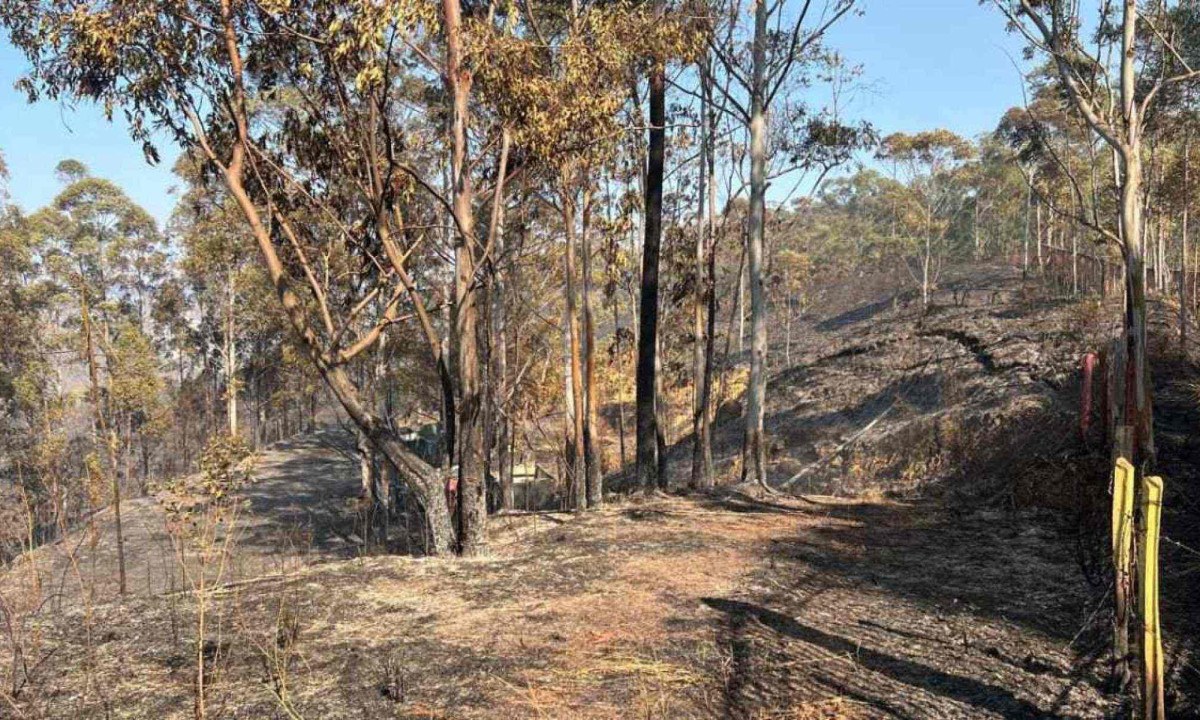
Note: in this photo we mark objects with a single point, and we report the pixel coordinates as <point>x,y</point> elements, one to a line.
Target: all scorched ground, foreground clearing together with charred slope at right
<point>929,568</point>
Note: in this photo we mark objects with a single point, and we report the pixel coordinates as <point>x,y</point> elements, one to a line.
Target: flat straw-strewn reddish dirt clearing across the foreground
<point>713,608</point>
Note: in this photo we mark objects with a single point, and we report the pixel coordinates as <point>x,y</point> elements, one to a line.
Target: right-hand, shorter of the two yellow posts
<point>1148,578</point>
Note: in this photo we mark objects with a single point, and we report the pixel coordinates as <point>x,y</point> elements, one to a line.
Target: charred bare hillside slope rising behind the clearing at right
<point>975,397</point>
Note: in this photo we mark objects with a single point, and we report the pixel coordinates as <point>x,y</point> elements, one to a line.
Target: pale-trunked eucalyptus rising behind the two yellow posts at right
<point>1113,81</point>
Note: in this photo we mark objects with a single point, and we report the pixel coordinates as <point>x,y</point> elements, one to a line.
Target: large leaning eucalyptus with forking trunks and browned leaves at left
<point>309,113</point>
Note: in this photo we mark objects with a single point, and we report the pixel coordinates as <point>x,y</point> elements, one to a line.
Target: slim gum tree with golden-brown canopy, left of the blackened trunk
<point>560,88</point>
